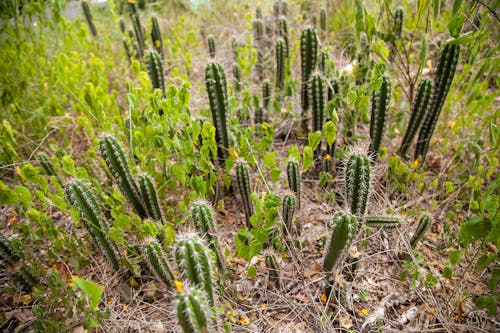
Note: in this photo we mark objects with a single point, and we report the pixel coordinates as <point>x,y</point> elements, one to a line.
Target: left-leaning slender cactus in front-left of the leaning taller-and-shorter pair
<point>79,194</point>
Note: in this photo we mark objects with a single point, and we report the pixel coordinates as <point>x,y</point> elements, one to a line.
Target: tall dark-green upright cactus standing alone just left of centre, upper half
<point>215,80</point>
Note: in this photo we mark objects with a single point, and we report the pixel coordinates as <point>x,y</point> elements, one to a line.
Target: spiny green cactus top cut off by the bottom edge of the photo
<point>193,312</point>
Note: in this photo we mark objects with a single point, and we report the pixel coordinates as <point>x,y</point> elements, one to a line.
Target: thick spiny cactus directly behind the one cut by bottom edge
<point>193,262</point>
